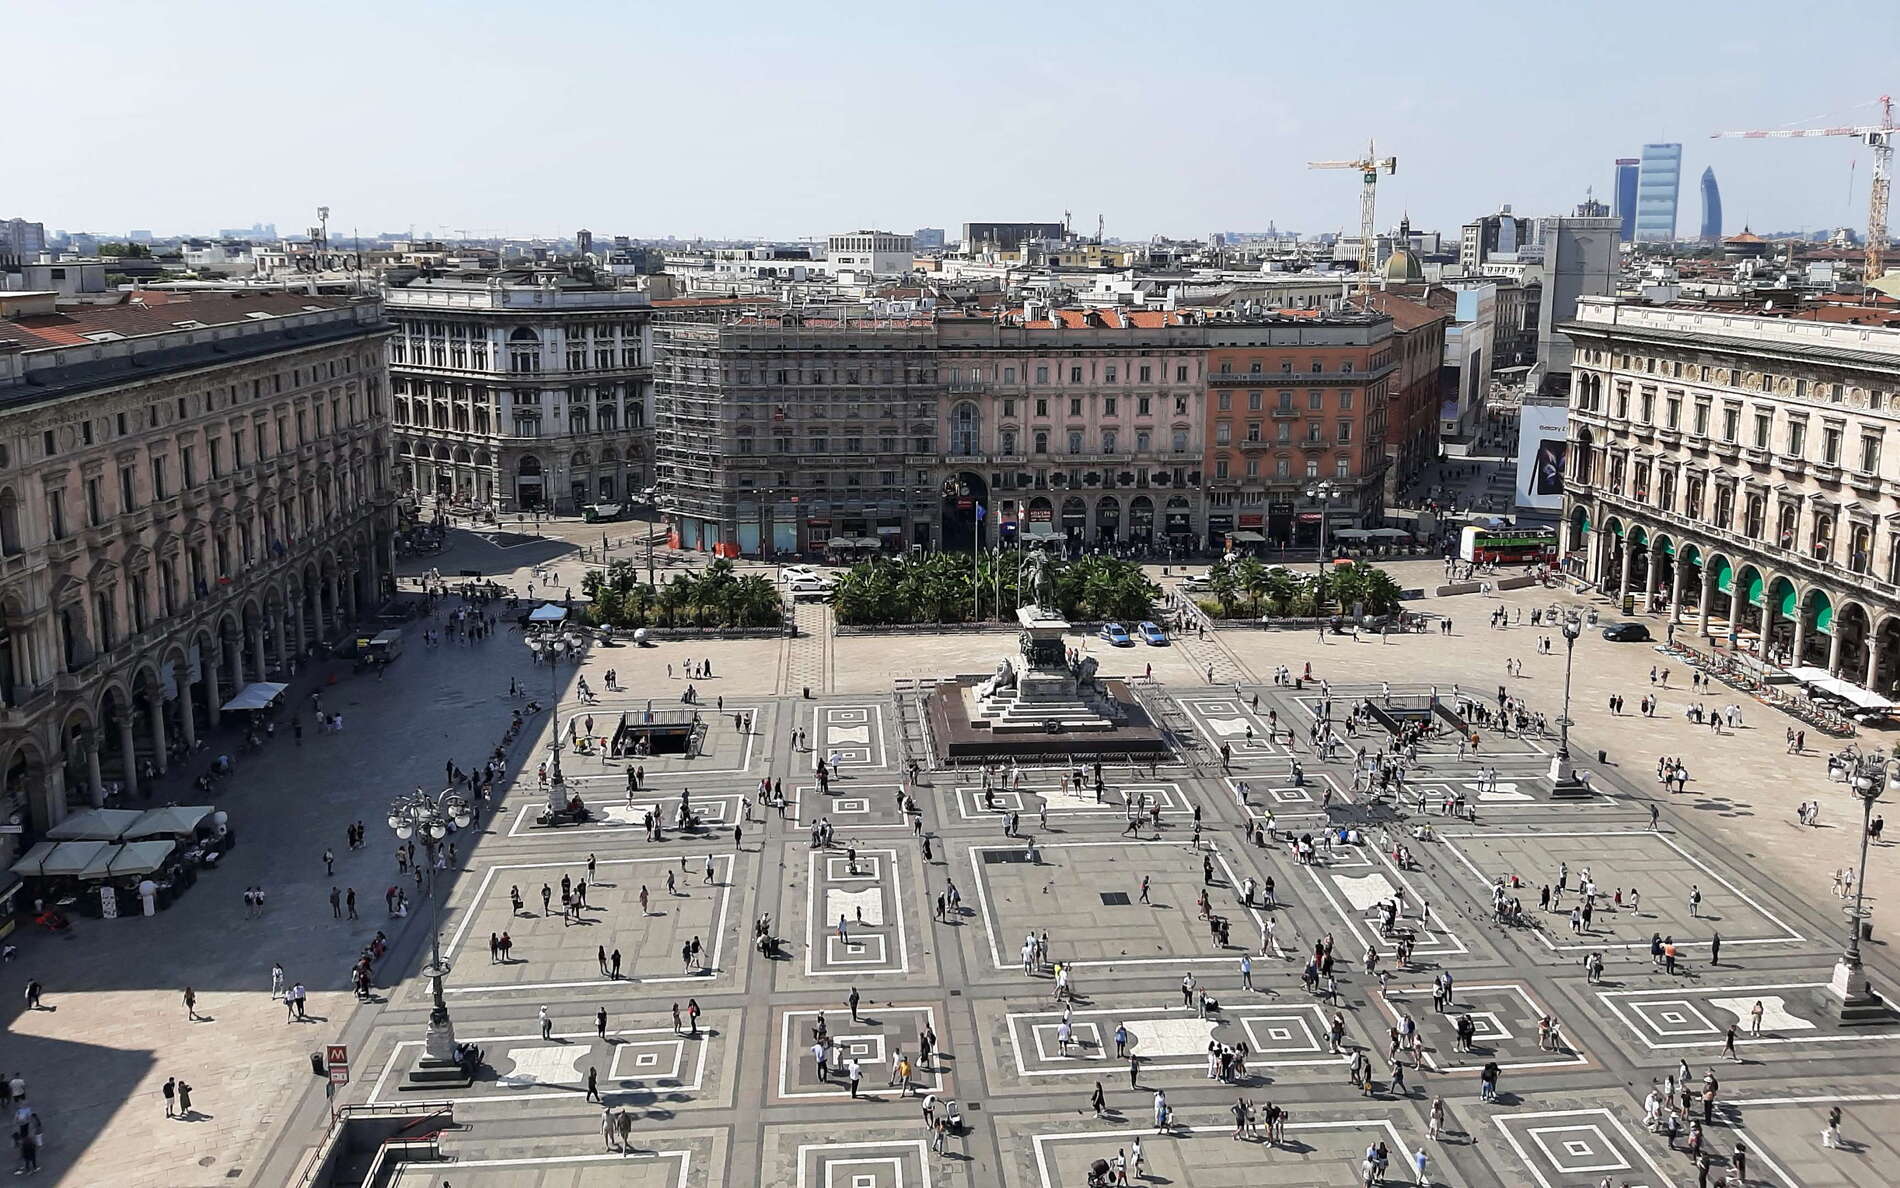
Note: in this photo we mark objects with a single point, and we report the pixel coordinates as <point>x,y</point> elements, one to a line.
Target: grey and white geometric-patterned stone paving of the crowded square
<point>732,1096</point>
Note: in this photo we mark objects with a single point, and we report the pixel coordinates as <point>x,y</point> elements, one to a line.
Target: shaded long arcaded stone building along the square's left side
<point>195,489</point>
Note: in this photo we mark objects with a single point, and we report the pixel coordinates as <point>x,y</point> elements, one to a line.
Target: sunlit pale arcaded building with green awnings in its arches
<point>1743,476</point>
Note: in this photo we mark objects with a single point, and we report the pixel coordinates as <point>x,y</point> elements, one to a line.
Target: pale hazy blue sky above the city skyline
<point>769,119</point>
